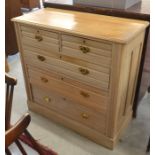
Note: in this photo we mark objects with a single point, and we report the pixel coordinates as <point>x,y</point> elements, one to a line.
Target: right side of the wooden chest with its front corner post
<point>122,78</point>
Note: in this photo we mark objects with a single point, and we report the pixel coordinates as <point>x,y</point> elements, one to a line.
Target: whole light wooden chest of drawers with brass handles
<point>81,69</point>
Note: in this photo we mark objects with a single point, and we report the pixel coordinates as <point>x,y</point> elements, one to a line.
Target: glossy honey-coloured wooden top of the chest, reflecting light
<point>92,25</point>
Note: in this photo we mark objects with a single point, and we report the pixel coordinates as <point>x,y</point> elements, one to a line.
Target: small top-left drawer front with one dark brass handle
<point>36,37</point>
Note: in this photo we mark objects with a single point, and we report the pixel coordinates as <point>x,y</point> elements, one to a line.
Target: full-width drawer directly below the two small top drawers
<point>82,74</point>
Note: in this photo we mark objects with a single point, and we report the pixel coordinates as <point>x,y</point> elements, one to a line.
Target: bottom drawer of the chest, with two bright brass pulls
<point>70,109</point>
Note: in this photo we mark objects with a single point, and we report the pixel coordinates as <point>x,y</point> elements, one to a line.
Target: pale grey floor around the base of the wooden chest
<point>65,141</point>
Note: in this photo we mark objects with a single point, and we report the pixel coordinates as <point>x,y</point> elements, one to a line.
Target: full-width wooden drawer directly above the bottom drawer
<point>60,84</point>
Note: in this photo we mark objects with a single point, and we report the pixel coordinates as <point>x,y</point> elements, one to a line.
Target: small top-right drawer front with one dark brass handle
<point>91,51</point>
